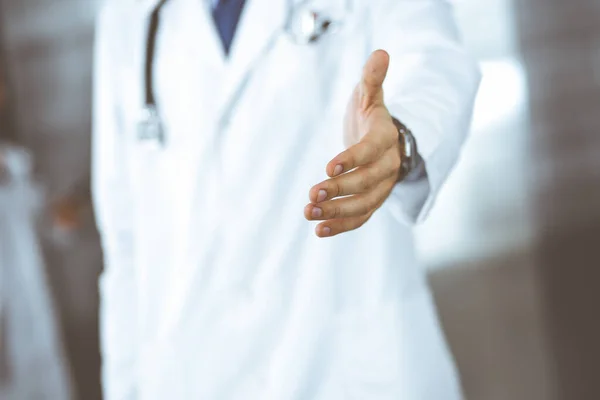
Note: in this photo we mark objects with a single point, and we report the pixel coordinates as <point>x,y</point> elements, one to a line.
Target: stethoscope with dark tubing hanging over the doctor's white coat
<point>304,26</point>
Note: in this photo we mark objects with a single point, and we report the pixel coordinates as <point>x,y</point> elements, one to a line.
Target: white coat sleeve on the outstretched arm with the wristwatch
<point>430,87</point>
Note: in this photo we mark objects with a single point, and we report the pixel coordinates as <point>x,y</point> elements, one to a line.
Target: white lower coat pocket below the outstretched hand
<point>369,358</point>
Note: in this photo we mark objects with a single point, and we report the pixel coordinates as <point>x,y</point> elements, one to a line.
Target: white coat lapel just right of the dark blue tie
<point>261,22</point>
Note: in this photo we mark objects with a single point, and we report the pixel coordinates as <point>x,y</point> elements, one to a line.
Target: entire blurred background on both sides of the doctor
<point>512,248</point>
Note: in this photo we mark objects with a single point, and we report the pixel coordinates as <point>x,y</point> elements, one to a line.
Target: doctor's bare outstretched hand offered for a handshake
<point>363,176</point>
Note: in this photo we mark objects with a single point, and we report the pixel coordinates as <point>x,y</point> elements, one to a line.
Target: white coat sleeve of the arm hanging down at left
<point>113,214</point>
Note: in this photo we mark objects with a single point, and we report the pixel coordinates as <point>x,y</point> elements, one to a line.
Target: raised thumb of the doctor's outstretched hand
<point>374,73</point>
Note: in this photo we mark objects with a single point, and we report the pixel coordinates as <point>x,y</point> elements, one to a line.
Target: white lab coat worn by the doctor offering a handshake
<point>215,286</point>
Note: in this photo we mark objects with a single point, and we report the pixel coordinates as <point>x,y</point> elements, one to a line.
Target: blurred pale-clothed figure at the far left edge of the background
<point>30,343</point>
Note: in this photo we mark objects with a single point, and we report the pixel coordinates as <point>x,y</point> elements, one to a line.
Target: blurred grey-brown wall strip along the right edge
<point>560,43</point>
